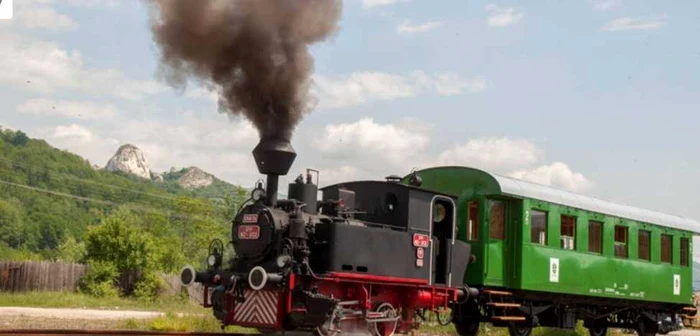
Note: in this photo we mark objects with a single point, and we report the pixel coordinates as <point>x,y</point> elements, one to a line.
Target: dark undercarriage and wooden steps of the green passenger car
<point>522,311</point>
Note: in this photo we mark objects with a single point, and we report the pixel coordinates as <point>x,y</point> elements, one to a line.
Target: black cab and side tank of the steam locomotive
<point>408,233</point>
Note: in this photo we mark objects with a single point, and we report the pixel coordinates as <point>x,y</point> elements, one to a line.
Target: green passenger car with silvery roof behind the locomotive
<point>547,257</point>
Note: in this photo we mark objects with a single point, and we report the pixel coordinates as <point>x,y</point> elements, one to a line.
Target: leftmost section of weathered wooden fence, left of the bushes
<point>39,276</point>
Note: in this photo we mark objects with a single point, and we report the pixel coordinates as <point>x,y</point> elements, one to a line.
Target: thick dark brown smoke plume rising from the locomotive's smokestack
<point>255,51</point>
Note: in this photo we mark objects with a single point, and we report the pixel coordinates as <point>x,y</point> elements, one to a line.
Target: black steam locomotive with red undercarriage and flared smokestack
<point>373,256</point>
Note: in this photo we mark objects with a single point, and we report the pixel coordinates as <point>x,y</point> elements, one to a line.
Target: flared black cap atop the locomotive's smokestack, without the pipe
<point>274,156</point>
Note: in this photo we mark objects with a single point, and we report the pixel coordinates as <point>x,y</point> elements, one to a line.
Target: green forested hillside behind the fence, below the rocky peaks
<point>51,199</point>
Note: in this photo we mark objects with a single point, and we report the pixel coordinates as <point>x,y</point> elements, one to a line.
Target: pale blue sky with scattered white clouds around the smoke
<point>597,97</point>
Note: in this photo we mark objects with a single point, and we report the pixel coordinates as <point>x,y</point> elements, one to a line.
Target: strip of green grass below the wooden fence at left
<point>78,300</point>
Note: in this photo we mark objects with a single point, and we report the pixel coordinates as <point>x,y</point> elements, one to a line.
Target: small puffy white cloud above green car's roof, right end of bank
<point>557,174</point>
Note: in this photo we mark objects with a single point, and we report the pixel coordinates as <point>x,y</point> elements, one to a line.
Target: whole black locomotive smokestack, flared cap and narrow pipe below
<point>273,156</point>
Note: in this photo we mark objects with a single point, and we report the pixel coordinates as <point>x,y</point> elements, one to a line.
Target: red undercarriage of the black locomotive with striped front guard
<point>326,305</point>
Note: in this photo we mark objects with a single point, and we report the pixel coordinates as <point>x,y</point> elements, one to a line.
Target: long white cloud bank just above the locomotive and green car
<point>368,149</point>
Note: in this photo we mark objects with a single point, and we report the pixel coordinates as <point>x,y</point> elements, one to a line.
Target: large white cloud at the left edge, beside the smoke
<point>46,68</point>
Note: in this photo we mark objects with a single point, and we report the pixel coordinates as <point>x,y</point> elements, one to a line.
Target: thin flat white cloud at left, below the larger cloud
<point>84,110</point>
